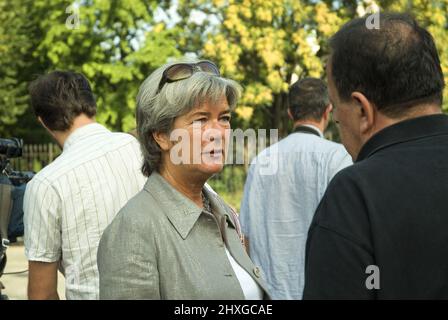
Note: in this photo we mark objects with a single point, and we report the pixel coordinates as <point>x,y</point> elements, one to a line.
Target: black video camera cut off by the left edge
<point>12,189</point>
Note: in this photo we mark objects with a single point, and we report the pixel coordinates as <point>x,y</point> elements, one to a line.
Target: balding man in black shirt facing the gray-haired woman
<point>381,229</point>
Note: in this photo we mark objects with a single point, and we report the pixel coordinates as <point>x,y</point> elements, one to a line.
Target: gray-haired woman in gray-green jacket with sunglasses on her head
<point>177,239</point>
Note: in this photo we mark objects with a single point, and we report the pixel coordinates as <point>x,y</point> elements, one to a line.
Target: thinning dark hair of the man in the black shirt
<point>396,66</point>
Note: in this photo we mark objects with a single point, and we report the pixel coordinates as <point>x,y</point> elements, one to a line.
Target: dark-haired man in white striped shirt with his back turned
<point>70,202</point>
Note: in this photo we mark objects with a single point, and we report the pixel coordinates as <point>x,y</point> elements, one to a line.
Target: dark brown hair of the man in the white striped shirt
<point>59,97</point>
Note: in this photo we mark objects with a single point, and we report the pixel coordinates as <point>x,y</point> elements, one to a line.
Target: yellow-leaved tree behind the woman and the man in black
<point>266,44</point>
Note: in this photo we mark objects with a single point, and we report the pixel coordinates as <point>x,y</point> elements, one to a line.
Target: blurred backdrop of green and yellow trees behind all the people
<point>264,45</point>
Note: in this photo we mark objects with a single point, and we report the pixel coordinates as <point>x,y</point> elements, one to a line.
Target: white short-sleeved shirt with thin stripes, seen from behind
<point>70,202</point>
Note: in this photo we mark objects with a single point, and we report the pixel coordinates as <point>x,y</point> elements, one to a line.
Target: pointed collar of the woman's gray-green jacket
<point>181,211</point>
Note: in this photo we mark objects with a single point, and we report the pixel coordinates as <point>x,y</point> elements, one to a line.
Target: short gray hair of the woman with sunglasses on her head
<point>156,112</point>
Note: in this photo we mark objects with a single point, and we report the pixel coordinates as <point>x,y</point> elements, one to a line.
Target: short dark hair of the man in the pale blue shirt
<point>308,99</point>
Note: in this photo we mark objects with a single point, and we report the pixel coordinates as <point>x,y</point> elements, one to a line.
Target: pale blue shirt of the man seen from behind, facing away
<point>277,208</point>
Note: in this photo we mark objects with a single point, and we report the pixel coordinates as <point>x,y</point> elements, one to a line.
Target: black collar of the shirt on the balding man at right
<point>403,131</point>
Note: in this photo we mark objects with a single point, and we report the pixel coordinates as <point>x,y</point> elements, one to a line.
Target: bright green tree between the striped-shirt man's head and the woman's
<point>116,44</point>
